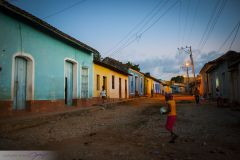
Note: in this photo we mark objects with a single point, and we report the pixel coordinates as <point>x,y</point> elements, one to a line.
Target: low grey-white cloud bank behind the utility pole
<point>165,68</point>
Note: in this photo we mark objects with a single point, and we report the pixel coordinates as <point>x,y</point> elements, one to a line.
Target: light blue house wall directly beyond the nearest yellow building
<point>131,82</point>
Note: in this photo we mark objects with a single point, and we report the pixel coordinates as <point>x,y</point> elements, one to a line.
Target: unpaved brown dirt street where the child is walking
<point>133,130</point>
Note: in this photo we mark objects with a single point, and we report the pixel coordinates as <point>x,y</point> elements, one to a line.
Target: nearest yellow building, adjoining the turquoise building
<point>114,81</point>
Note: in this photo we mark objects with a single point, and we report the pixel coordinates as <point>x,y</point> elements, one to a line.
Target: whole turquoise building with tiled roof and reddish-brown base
<point>40,66</point>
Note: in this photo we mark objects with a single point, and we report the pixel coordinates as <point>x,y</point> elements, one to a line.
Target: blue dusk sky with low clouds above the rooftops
<point>146,32</point>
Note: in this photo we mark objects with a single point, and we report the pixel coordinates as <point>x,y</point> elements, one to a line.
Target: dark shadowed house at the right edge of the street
<point>221,74</point>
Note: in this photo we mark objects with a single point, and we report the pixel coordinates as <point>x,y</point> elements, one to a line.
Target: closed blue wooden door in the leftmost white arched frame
<point>20,81</point>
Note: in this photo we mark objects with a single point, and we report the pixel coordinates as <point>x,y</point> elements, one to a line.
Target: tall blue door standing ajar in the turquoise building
<point>68,83</point>
